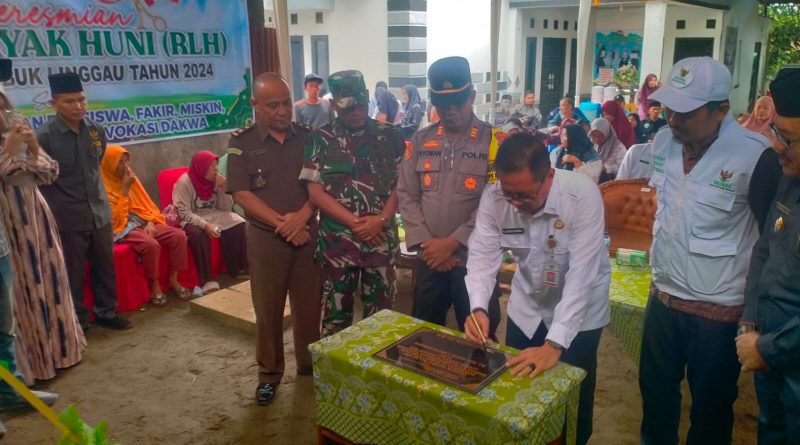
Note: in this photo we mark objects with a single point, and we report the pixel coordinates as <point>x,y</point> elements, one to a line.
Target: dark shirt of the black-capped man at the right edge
<point>772,298</point>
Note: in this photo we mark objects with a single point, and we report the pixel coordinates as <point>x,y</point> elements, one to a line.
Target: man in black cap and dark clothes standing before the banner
<point>78,199</point>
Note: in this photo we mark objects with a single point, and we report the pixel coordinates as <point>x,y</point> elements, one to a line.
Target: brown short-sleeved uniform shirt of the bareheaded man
<point>259,163</point>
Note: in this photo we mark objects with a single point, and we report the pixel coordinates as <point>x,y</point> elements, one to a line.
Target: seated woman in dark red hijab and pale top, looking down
<point>206,212</point>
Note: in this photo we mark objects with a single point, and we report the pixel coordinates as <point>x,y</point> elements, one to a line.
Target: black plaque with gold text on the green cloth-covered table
<point>452,360</point>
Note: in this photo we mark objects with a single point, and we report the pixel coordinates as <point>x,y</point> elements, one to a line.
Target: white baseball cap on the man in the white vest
<point>692,83</point>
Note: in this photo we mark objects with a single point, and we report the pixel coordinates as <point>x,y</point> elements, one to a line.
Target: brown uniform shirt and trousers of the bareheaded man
<point>259,163</point>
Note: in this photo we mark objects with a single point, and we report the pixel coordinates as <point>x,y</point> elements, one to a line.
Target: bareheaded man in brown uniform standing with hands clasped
<point>264,161</point>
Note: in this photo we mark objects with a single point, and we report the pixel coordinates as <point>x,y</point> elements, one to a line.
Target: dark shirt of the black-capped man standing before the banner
<point>78,197</point>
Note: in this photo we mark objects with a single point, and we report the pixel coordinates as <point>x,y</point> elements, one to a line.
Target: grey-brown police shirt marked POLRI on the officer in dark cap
<point>441,184</point>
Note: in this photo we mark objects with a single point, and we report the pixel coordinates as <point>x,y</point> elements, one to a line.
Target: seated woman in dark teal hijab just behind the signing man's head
<point>576,153</point>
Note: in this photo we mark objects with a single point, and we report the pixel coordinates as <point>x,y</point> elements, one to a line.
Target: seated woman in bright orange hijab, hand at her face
<point>138,221</point>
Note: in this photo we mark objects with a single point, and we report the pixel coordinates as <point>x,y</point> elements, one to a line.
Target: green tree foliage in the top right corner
<point>784,39</point>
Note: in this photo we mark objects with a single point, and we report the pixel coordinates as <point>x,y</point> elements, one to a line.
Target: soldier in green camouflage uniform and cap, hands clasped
<point>350,168</point>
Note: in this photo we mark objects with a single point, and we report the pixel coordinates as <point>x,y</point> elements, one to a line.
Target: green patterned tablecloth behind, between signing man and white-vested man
<point>630,287</point>
